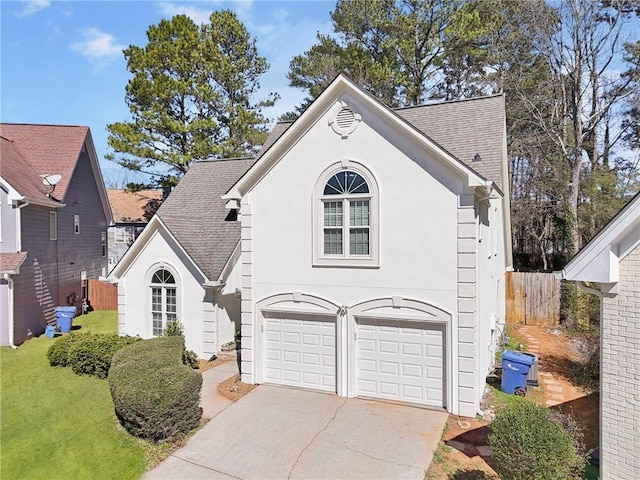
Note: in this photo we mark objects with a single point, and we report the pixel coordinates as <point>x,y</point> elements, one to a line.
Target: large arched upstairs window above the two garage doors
<point>346,225</point>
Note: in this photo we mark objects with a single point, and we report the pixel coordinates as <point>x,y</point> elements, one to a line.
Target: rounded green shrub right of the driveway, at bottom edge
<point>528,441</point>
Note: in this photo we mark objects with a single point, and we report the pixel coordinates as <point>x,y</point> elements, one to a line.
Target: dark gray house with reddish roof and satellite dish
<point>53,223</point>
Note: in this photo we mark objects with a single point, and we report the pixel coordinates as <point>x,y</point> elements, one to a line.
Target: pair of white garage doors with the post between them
<point>388,358</point>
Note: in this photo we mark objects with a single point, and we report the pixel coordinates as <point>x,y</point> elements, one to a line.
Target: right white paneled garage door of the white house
<point>400,360</point>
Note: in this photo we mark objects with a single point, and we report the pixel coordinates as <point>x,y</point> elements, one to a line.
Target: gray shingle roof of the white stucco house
<point>195,213</point>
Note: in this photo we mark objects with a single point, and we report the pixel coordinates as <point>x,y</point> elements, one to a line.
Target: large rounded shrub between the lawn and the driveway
<point>155,395</point>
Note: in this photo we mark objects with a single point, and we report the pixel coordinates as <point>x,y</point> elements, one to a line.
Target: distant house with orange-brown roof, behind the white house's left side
<point>131,211</point>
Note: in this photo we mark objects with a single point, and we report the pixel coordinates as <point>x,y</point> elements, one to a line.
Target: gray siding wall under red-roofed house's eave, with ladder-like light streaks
<point>36,288</point>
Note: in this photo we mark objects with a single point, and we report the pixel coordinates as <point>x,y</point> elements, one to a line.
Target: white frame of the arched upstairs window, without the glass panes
<point>346,258</point>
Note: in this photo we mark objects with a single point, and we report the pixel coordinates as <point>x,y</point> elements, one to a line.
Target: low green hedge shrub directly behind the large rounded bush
<point>92,354</point>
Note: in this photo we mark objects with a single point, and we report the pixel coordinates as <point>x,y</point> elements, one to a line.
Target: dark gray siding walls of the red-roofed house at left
<point>52,271</point>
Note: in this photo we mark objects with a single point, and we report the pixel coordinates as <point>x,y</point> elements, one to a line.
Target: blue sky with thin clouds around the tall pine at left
<point>62,61</point>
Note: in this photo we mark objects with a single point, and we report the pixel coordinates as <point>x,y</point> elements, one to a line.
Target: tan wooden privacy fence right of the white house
<point>532,298</point>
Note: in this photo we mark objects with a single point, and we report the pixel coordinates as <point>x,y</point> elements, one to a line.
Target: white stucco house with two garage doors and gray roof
<point>362,252</point>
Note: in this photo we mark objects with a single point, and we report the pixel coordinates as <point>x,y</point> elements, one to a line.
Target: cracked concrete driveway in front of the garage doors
<point>277,433</point>
